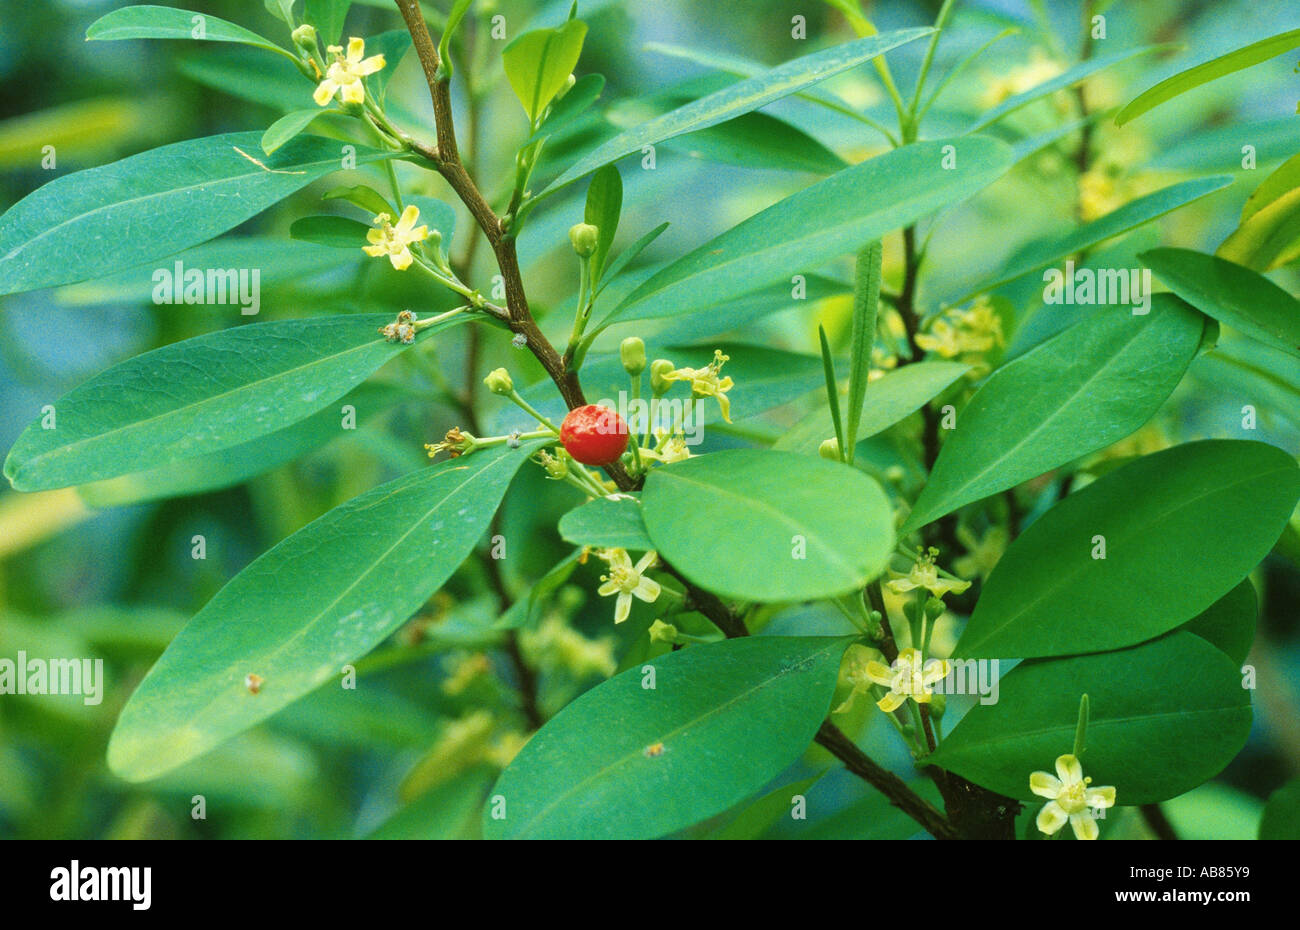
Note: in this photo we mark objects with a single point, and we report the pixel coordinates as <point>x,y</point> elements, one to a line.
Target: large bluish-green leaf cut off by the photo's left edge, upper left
<point>177,197</point>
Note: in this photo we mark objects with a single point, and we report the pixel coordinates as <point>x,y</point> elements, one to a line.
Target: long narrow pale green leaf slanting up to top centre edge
<point>740,98</point>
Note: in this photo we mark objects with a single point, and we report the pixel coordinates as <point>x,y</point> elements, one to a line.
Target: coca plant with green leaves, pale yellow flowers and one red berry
<point>803,559</point>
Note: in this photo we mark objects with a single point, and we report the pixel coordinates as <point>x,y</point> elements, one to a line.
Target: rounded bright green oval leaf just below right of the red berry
<point>766,526</point>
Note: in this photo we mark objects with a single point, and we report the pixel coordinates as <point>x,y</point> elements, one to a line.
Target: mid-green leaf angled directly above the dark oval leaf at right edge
<point>1081,391</point>
